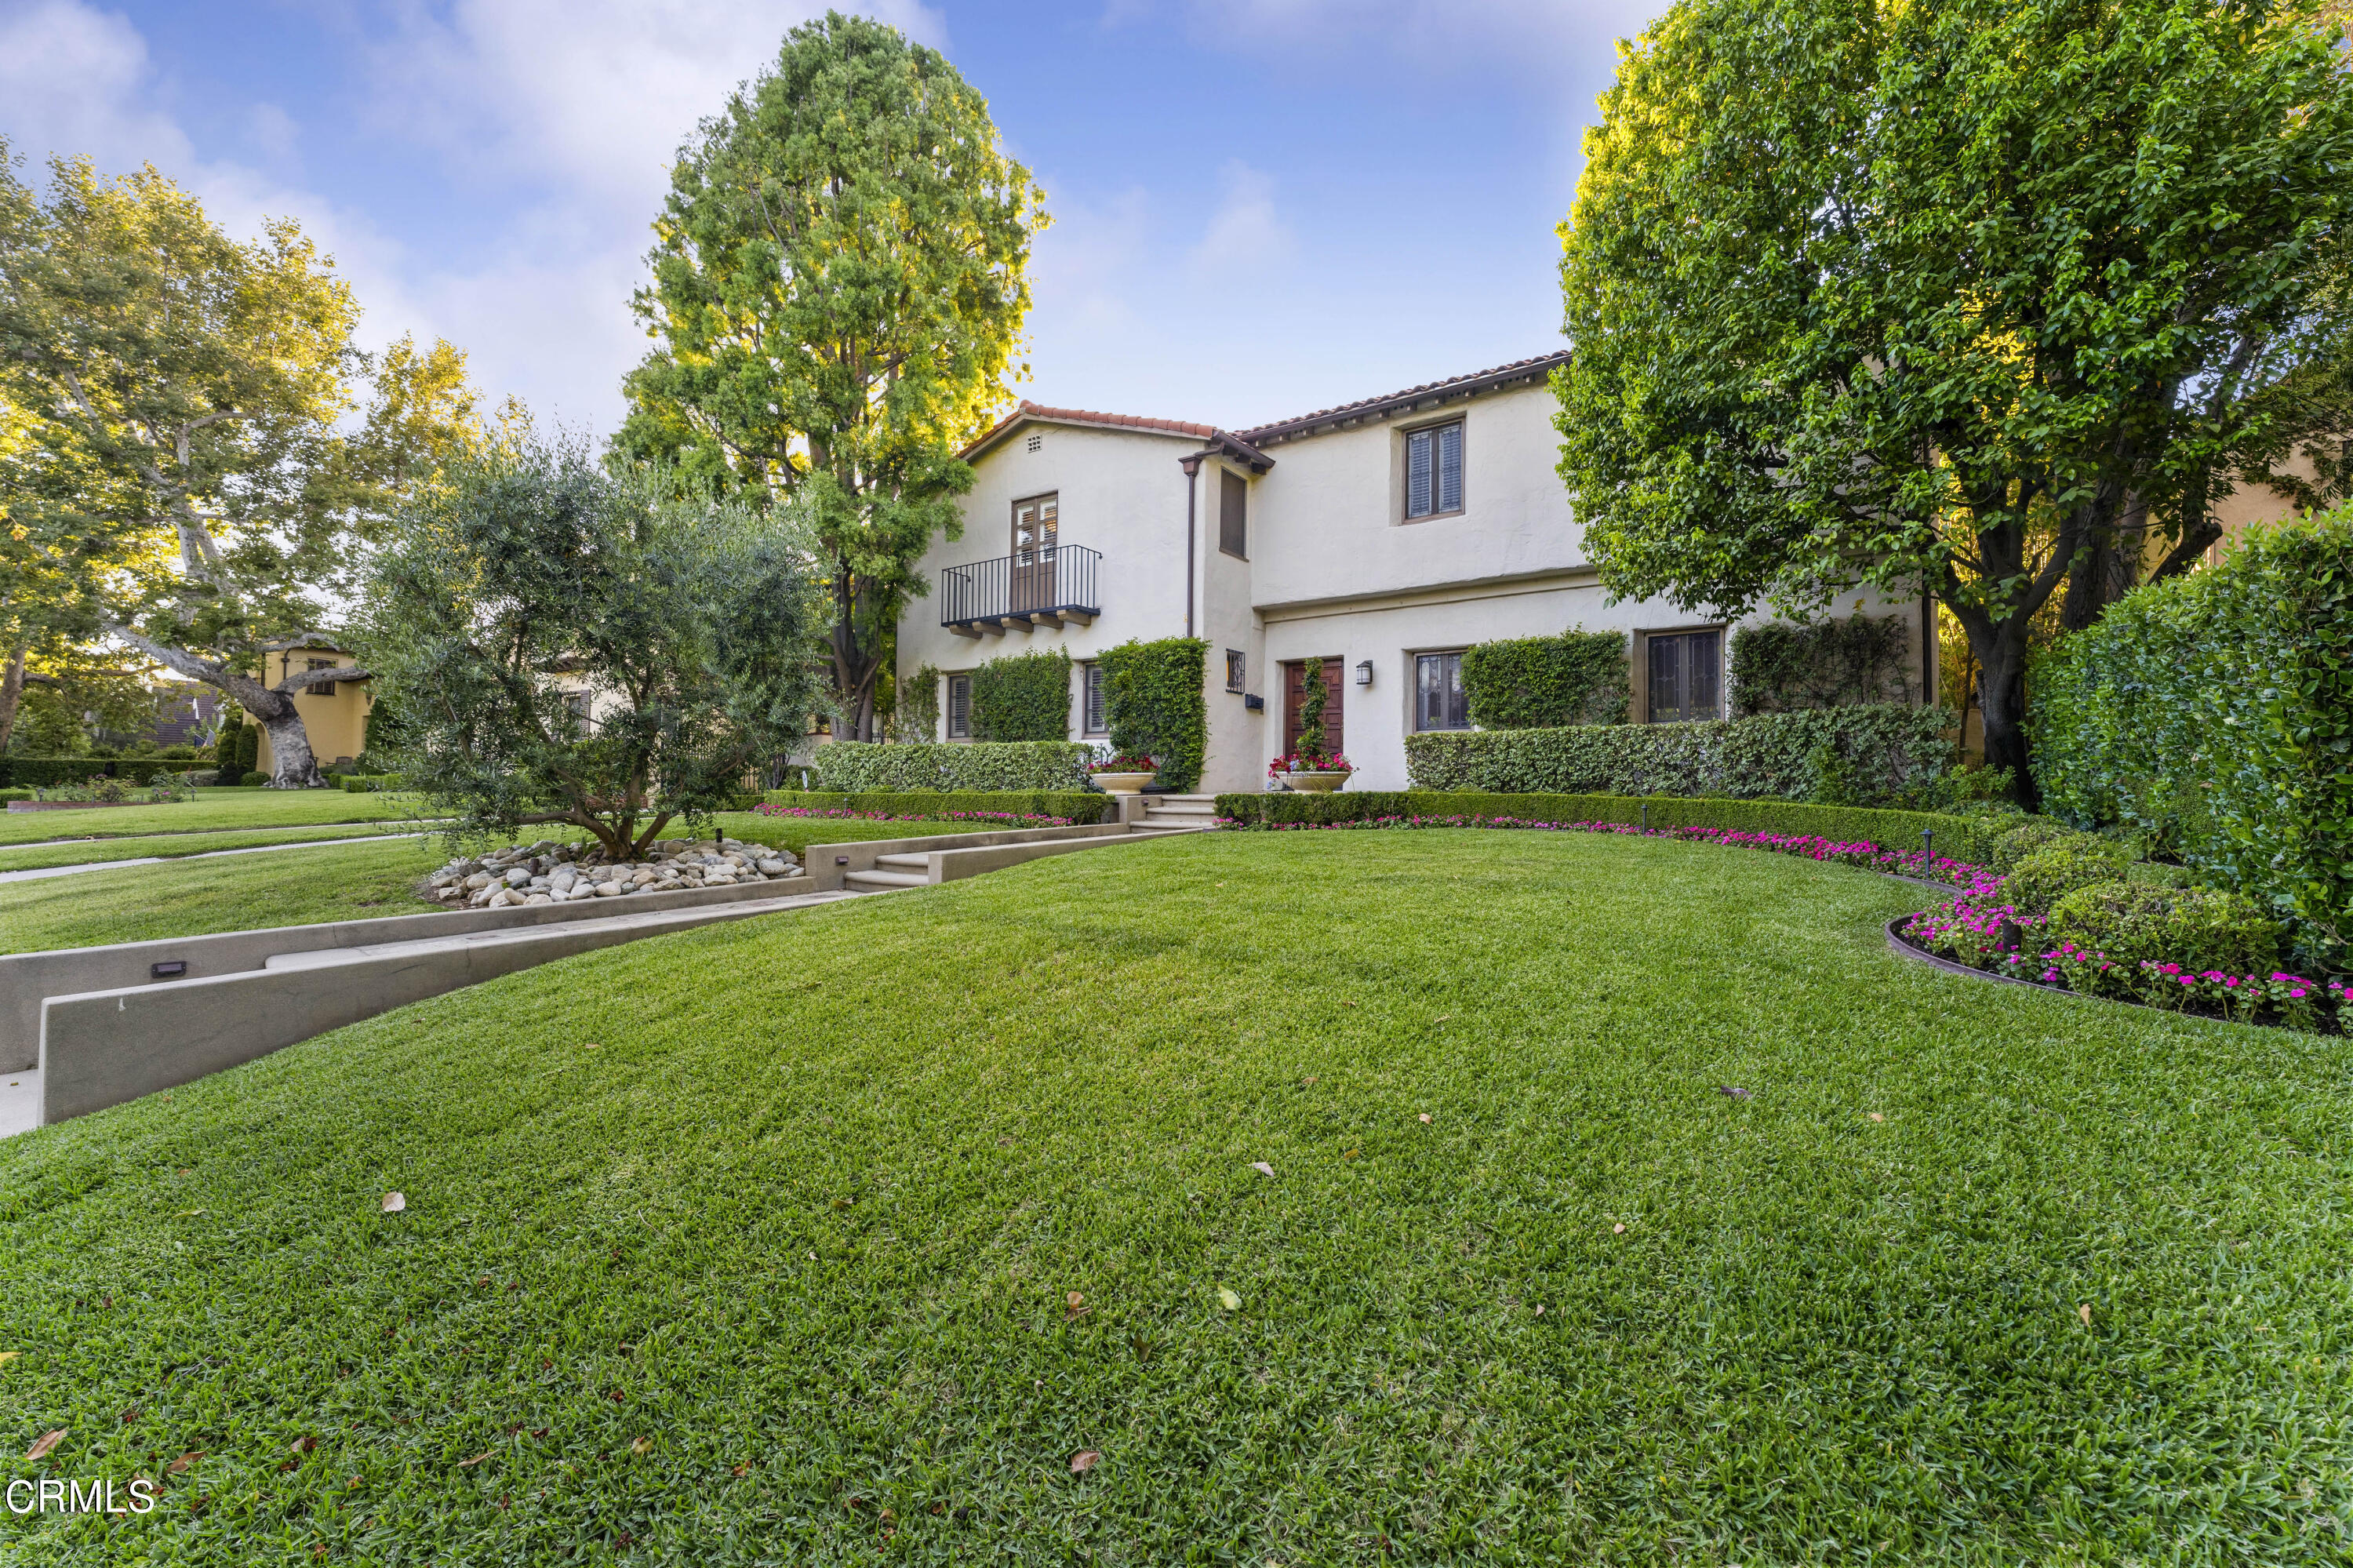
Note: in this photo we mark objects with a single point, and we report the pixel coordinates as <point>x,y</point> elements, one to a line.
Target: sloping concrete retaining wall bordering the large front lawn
<point>109,1047</point>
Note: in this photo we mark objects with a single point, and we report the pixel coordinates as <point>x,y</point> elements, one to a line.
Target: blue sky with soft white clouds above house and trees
<point>1260,208</point>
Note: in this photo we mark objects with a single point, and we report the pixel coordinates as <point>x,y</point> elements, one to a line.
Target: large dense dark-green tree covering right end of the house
<point>1982,298</point>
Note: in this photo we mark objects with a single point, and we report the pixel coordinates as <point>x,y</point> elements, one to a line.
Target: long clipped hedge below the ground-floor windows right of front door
<point>1773,757</point>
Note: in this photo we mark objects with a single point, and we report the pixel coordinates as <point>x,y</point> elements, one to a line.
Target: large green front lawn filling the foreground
<point>1975,1273</point>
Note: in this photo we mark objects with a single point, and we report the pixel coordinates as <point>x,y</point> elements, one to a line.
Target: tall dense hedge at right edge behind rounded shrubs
<point>2213,715</point>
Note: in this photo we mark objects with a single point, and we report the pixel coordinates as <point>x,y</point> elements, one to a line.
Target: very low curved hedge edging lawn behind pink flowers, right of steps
<point>1968,839</point>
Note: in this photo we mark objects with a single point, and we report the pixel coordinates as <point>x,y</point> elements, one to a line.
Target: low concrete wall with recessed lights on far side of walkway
<point>29,978</point>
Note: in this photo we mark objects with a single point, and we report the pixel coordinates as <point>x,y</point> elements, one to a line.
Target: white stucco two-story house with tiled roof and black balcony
<point>1382,536</point>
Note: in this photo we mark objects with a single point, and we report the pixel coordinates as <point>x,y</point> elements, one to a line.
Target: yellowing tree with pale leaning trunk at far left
<point>180,479</point>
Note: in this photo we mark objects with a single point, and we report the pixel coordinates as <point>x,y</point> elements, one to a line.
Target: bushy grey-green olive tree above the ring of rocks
<point>571,646</point>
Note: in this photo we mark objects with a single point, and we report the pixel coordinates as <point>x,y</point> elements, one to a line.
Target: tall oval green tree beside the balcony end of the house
<point>839,291</point>
